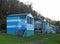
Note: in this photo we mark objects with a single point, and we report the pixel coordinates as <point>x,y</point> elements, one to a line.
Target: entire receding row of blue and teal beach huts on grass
<point>26,25</point>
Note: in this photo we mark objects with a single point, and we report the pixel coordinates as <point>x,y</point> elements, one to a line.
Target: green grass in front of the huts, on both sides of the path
<point>8,39</point>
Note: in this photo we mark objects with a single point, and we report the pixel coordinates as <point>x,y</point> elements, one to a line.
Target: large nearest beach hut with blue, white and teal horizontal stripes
<point>20,24</point>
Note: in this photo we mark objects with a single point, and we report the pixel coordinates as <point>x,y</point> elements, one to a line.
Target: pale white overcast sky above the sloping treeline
<point>48,8</point>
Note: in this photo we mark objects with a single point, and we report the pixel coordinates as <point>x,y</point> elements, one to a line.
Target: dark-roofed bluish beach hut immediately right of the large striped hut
<point>37,24</point>
